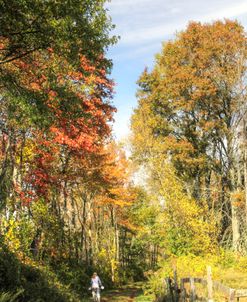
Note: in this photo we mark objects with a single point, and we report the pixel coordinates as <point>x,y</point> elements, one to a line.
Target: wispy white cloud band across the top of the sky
<point>143,21</point>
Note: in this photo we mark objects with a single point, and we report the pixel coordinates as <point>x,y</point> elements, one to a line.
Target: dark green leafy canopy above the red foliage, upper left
<point>68,27</point>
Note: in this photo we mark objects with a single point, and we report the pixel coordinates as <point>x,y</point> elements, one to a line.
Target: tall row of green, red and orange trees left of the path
<point>64,182</point>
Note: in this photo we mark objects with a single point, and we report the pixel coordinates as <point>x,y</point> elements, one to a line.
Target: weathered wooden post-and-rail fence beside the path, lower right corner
<point>179,293</point>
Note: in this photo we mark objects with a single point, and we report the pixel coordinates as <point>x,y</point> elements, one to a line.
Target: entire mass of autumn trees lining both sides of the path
<point>71,201</point>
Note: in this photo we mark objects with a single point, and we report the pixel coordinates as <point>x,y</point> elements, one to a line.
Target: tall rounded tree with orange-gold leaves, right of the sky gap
<point>196,94</point>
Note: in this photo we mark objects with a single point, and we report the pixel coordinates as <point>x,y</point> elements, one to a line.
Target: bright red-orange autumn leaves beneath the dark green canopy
<point>74,102</point>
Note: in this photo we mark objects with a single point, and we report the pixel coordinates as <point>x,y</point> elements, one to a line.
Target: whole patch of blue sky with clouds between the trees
<point>143,25</point>
